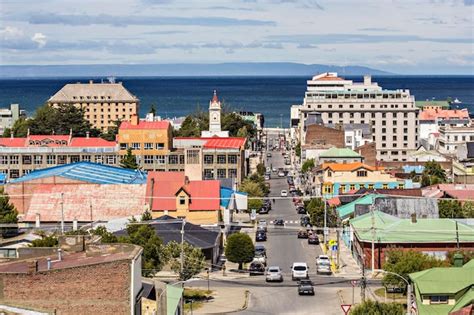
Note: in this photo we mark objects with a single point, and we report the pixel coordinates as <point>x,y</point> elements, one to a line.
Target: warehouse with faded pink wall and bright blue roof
<point>82,192</point>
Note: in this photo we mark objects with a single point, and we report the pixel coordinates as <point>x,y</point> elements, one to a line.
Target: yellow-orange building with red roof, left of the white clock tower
<point>151,142</point>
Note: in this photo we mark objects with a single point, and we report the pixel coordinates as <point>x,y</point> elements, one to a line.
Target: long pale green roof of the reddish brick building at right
<point>390,229</point>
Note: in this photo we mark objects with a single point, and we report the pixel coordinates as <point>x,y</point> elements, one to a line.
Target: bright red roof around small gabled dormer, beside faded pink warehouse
<point>204,195</point>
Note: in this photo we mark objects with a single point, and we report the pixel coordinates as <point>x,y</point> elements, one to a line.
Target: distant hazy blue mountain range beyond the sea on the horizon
<point>182,69</point>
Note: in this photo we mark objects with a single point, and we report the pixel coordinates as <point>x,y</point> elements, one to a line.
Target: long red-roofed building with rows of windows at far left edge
<point>19,156</point>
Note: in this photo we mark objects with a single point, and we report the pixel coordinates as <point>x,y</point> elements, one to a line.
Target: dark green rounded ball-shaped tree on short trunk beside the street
<point>239,249</point>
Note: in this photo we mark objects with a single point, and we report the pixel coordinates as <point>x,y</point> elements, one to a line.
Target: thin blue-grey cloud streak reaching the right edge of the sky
<point>361,39</point>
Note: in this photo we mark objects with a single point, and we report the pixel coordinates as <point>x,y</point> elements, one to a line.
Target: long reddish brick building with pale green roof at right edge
<point>435,237</point>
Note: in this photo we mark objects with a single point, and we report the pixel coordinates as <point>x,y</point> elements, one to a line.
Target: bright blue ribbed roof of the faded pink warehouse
<point>88,172</point>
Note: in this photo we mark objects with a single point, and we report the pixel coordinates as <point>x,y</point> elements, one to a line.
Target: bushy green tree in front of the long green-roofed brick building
<point>405,262</point>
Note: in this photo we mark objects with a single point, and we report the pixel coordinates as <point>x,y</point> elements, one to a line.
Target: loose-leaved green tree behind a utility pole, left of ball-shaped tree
<point>193,262</point>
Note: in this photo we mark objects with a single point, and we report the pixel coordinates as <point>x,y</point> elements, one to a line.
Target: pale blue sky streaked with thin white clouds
<point>400,36</point>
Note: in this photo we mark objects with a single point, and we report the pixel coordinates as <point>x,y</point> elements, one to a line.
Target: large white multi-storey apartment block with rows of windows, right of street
<point>392,114</point>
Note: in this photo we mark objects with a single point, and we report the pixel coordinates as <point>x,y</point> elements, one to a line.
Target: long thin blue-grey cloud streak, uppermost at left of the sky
<point>123,21</point>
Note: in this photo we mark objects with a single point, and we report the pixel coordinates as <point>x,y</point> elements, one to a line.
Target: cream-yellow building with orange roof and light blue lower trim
<point>335,178</point>
